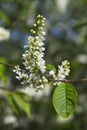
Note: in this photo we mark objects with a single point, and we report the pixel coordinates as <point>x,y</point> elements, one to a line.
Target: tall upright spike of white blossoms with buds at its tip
<point>33,73</point>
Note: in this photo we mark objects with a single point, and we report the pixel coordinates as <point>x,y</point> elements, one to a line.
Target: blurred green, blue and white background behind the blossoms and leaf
<point>66,38</point>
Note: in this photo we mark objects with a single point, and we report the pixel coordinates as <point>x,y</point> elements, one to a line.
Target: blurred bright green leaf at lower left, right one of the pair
<point>22,103</point>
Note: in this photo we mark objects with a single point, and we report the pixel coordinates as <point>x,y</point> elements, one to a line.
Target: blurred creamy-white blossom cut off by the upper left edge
<point>4,34</point>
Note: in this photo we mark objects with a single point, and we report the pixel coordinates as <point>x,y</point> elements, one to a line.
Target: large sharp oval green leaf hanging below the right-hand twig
<point>65,99</point>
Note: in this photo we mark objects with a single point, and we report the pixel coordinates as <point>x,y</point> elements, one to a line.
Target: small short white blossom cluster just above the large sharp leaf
<point>63,71</point>
